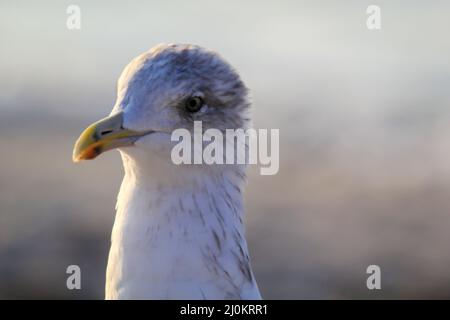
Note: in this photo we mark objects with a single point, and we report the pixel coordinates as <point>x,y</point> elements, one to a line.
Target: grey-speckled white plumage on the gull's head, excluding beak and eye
<point>163,78</point>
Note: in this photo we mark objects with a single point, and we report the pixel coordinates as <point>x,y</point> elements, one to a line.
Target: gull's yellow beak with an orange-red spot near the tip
<point>103,135</point>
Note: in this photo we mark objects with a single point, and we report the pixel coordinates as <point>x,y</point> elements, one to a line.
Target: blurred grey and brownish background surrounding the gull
<point>364,119</point>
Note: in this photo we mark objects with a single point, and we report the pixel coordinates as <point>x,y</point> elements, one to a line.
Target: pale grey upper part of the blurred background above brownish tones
<point>288,52</point>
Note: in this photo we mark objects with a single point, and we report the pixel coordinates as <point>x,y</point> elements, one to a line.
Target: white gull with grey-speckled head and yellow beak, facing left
<point>179,229</point>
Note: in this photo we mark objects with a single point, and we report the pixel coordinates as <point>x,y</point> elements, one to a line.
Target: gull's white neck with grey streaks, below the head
<point>171,236</point>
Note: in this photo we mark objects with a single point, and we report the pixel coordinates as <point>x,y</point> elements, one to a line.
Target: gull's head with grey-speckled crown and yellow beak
<point>164,89</point>
